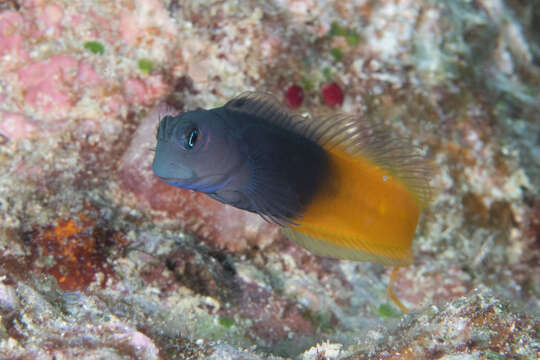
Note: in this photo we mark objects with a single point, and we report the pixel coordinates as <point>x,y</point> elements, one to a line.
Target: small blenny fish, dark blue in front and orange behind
<point>341,186</point>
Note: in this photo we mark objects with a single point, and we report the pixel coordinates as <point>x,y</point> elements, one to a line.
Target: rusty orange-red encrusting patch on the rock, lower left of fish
<point>77,248</point>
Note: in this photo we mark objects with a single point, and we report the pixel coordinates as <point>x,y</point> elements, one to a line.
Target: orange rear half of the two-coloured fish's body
<point>361,213</point>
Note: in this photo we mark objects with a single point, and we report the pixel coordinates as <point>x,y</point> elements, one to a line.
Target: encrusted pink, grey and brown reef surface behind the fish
<point>100,260</point>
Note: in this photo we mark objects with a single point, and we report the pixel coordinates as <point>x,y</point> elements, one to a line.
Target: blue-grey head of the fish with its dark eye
<point>195,150</point>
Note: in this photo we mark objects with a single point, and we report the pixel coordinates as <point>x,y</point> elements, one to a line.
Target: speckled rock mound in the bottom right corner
<point>477,326</point>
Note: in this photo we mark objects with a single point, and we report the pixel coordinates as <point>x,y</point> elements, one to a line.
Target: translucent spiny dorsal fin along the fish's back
<point>355,136</point>
